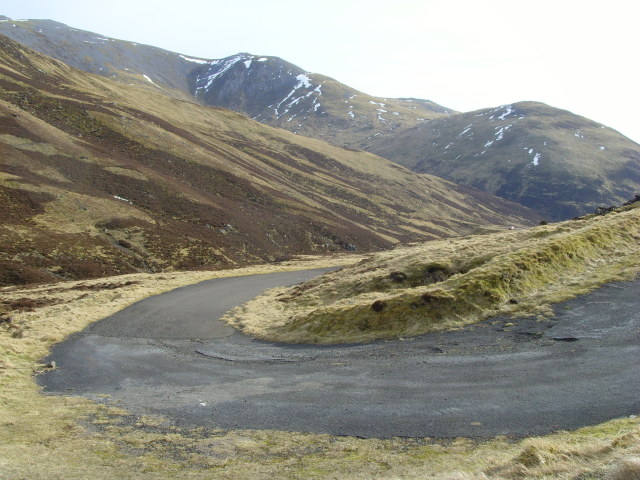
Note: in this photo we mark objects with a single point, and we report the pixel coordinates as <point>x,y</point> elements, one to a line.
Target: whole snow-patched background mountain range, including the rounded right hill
<point>553,161</point>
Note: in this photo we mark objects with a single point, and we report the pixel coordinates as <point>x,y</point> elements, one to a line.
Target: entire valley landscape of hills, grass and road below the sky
<point>477,320</point>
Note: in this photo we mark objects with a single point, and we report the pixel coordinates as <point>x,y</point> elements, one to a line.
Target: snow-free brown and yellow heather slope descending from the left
<point>98,177</point>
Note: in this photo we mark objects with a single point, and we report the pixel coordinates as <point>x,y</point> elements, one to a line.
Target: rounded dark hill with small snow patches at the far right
<point>548,159</point>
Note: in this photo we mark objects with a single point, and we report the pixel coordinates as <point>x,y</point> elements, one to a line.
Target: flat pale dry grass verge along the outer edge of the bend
<point>56,437</point>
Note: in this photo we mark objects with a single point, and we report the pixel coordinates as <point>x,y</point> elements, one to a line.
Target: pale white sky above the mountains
<point>580,55</point>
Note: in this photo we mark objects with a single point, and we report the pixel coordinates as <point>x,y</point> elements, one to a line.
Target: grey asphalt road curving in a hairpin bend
<point>170,355</point>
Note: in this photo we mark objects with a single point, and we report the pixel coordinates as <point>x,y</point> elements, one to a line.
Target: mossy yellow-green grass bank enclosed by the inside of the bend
<point>447,284</point>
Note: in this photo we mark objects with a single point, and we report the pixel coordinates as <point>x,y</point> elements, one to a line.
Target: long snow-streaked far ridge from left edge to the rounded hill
<point>266,88</point>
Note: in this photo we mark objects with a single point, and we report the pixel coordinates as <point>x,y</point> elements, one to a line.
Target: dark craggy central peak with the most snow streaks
<point>280,94</point>
